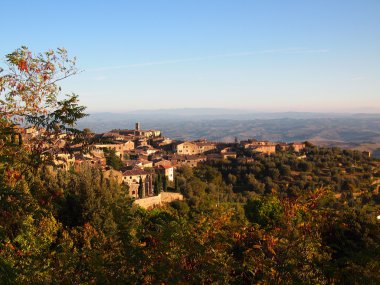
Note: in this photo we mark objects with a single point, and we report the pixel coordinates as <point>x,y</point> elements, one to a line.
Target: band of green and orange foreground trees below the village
<point>76,227</point>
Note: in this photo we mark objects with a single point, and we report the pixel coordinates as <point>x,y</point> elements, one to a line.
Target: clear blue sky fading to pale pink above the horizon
<point>265,55</point>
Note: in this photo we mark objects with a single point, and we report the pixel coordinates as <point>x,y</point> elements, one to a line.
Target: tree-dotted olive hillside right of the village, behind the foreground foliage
<point>349,173</point>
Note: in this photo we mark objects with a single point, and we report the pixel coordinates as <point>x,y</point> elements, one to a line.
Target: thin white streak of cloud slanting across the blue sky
<point>227,55</point>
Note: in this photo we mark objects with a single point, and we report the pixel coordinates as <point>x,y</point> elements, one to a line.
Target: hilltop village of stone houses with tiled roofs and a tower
<point>145,154</point>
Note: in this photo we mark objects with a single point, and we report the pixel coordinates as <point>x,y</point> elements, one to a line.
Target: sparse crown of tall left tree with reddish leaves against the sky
<point>31,97</point>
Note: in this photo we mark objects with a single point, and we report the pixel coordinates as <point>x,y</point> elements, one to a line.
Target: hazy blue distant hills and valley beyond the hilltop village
<point>341,129</point>
